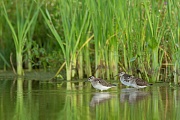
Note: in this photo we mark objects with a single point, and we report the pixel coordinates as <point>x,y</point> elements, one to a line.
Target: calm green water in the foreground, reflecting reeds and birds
<point>41,100</point>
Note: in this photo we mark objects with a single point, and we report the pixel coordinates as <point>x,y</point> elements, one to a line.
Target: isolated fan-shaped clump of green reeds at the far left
<point>20,28</point>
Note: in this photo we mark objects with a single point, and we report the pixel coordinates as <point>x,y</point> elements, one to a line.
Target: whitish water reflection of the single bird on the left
<point>99,98</point>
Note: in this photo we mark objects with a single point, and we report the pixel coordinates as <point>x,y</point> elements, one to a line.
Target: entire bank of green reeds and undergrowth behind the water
<point>93,37</point>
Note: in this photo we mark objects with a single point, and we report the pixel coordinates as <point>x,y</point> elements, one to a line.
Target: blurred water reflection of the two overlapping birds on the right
<point>132,95</point>
